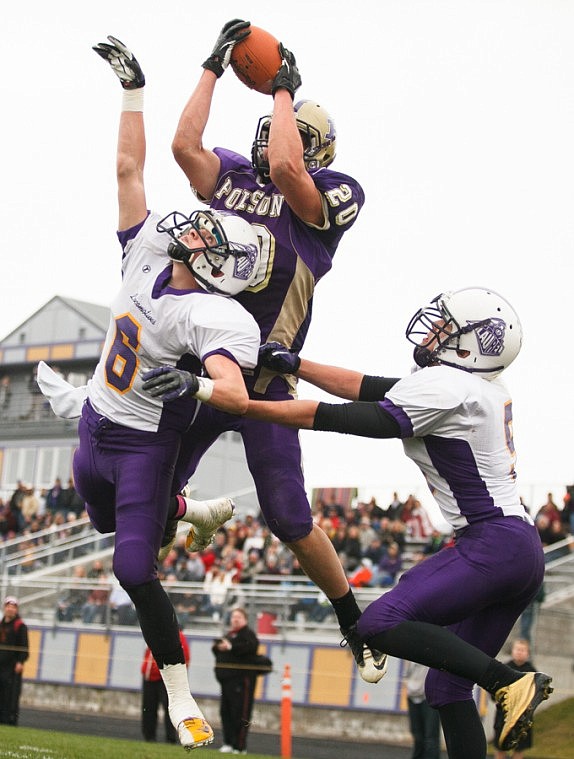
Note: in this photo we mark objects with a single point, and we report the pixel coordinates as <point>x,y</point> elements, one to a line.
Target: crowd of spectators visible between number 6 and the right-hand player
<point>372,543</point>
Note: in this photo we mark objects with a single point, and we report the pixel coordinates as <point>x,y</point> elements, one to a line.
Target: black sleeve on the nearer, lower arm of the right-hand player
<point>356,418</point>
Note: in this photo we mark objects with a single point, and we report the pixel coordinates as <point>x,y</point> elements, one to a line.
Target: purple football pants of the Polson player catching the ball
<point>274,459</point>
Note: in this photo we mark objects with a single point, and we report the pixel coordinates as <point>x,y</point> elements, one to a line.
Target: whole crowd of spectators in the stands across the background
<point>375,545</point>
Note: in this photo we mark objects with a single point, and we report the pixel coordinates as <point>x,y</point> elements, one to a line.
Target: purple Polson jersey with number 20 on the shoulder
<point>295,255</point>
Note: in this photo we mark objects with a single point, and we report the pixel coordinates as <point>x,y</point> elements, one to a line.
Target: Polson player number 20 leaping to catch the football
<point>301,209</point>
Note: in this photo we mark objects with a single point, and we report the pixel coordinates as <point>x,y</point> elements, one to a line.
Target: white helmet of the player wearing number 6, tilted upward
<point>226,267</point>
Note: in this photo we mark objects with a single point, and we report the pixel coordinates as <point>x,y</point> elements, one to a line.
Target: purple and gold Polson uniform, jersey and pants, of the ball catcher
<point>295,256</point>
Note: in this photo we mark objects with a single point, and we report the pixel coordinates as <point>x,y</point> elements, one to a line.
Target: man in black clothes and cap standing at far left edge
<point>13,654</point>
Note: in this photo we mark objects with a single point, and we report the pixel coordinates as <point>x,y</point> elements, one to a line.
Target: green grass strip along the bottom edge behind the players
<point>552,740</point>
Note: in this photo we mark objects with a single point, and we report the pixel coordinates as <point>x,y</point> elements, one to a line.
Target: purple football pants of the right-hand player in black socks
<point>478,589</point>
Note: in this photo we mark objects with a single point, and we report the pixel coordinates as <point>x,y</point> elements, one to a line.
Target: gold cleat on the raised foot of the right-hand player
<point>518,702</point>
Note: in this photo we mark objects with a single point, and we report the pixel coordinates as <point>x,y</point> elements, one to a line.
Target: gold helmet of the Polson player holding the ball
<point>318,133</point>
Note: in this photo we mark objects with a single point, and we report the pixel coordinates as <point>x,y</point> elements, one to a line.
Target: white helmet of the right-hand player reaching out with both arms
<point>474,329</point>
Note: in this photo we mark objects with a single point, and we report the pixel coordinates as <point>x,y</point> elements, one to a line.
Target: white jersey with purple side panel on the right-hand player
<point>458,429</point>
